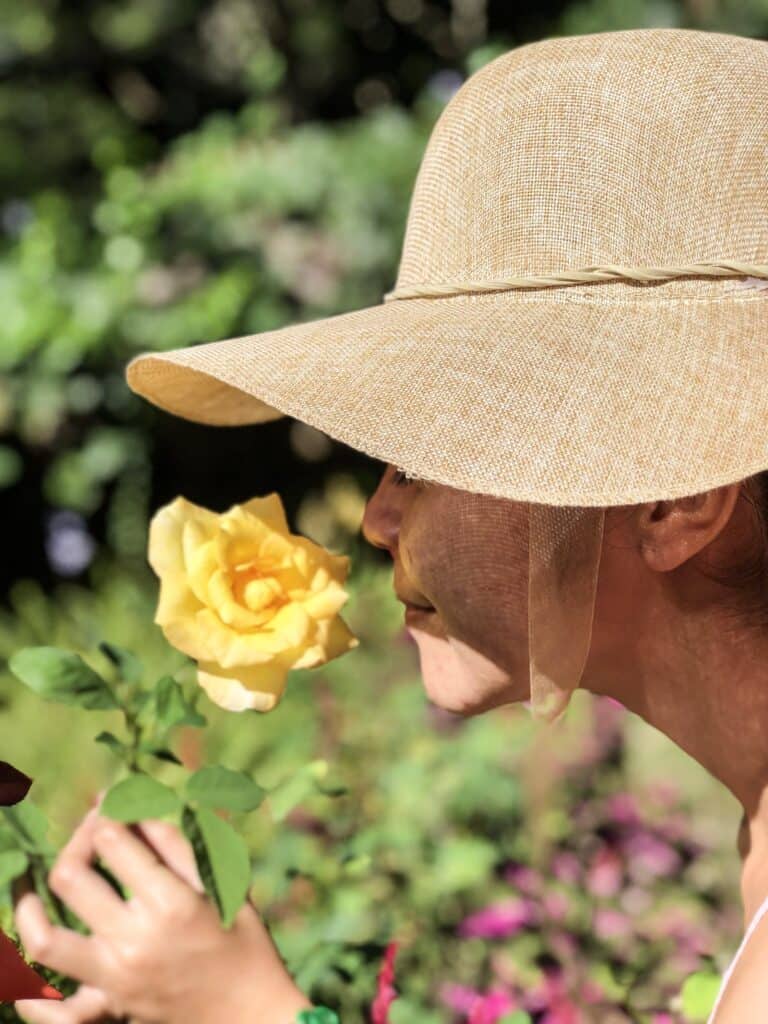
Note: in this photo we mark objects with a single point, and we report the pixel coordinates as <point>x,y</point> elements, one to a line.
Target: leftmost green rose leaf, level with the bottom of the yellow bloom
<point>62,676</point>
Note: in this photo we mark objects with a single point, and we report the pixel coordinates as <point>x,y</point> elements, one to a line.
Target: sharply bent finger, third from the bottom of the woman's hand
<point>90,895</point>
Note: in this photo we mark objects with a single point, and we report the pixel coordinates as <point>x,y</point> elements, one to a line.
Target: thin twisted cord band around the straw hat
<point>586,276</point>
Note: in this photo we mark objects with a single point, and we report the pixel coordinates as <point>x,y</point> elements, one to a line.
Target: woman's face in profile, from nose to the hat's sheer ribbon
<point>465,558</point>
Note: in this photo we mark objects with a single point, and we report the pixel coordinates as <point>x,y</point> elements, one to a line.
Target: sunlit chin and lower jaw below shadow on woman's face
<point>458,678</point>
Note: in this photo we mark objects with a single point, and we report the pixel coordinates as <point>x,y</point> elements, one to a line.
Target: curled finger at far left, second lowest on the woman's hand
<point>59,949</point>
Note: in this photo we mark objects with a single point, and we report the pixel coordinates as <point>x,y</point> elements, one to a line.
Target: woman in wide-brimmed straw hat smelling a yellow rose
<point>573,373</point>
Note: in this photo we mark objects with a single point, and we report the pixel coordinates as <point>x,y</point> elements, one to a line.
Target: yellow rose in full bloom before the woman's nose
<point>246,599</point>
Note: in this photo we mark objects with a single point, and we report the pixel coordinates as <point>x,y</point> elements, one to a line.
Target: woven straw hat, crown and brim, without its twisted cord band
<point>638,149</point>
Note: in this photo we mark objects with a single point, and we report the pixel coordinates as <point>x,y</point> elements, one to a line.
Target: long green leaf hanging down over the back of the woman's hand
<point>223,860</point>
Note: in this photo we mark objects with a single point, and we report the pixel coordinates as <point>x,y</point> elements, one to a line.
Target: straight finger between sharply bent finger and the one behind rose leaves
<point>134,864</point>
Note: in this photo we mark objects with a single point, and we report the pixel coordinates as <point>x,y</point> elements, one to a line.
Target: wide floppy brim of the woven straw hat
<point>556,401</point>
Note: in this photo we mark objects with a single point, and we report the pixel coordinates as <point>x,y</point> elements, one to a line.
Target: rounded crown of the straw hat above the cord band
<point>644,148</point>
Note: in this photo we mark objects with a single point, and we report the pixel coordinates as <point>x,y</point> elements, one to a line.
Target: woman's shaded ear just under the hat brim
<point>672,532</point>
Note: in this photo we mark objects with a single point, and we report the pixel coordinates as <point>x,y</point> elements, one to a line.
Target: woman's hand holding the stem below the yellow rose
<point>161,957</point>
